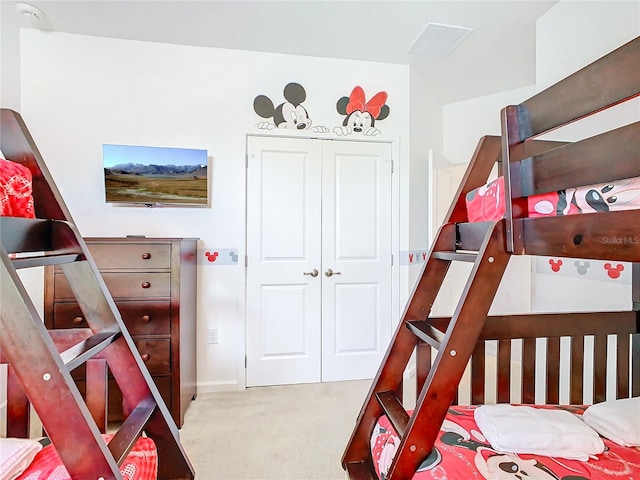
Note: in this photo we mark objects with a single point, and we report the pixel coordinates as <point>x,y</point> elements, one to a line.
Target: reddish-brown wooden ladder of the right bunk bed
<point>457,241</point>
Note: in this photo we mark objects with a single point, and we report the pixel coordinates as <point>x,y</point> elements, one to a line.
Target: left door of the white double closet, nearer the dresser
<point>283,224</point>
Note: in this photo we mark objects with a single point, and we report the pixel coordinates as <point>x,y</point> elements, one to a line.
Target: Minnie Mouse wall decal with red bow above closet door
<point>361,116</point>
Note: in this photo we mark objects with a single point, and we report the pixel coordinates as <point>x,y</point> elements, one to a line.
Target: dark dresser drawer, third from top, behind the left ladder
<point>141,318</point>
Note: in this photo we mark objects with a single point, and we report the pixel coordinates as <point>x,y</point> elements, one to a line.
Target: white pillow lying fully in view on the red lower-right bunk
<point>538,431</point>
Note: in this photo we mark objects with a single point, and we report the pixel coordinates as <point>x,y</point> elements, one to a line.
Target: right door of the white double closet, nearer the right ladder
<point>356,246</point>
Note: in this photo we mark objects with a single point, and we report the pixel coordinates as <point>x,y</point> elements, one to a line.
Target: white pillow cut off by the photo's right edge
<point>617,420</point>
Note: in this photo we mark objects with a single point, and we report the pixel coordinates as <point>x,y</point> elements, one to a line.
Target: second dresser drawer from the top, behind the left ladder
<point>122,285</point>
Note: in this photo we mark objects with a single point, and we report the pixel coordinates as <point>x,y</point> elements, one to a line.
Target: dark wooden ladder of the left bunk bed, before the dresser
<point>42,360</point>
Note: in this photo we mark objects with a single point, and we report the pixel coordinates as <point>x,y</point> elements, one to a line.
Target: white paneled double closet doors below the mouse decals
<point>319,257</point>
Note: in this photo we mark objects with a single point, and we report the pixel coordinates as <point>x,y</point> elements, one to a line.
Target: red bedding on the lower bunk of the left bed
<point>140,464</point>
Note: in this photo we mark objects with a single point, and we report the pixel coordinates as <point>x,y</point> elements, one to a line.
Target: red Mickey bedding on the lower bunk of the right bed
<point>462,453</point>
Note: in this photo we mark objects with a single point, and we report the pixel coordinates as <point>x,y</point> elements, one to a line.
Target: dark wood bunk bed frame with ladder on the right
<point>530,166</point>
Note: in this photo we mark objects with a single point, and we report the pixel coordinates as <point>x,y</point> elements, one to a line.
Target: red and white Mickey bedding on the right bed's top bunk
<point>487,202</point>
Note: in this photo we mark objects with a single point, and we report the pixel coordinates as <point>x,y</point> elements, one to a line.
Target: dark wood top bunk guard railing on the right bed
<point>607,157</point>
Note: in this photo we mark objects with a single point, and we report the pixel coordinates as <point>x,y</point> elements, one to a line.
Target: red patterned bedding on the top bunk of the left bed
<point>15,190</point>
